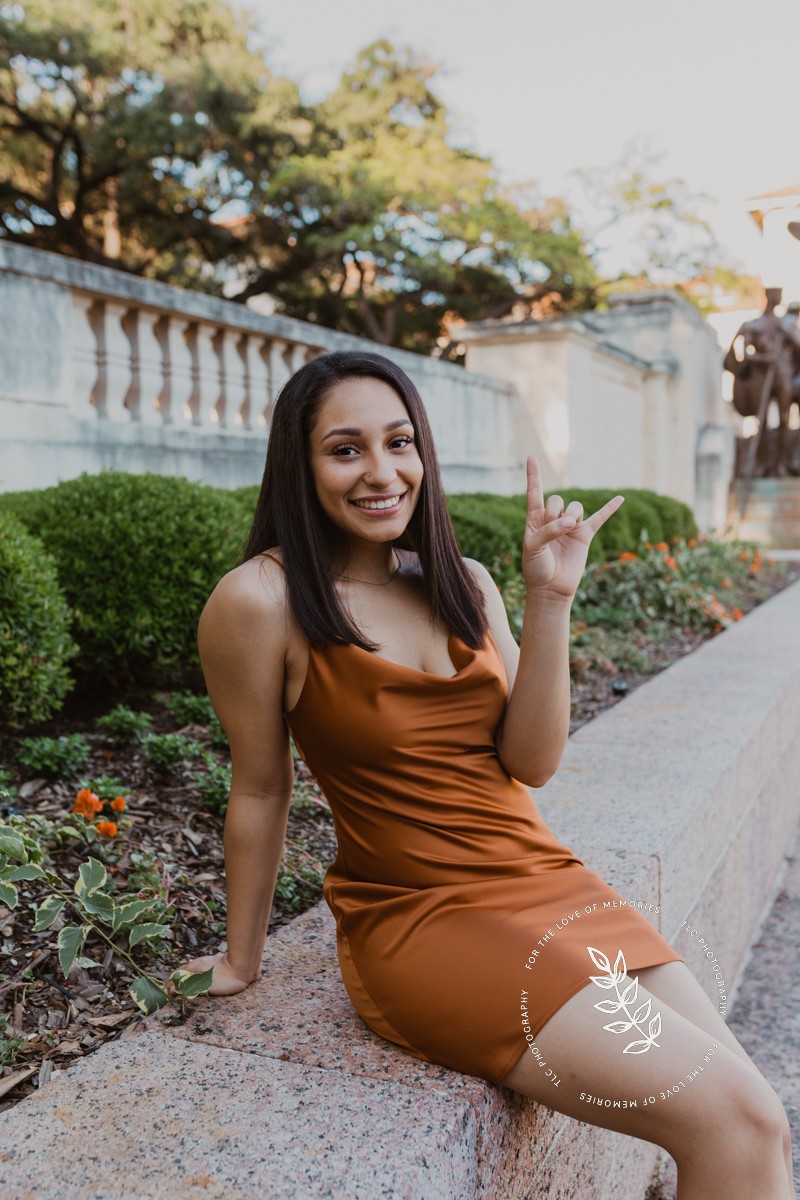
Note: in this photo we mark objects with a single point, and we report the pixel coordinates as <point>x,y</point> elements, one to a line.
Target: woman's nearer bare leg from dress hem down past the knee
<point>724,1126</point>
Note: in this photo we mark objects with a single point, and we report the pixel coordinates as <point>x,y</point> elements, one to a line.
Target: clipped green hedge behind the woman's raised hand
<point>491,527</point>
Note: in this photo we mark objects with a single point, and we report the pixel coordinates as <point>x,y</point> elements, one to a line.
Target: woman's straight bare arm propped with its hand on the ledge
<point>244,638</point>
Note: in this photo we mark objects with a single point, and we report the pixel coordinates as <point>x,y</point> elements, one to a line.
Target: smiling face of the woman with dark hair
<point>364,459</point>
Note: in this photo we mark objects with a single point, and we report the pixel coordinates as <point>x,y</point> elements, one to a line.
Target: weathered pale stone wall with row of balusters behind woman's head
<point>99,368</point>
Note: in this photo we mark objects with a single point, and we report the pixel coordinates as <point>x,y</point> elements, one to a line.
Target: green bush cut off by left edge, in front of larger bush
<point>35,644</point>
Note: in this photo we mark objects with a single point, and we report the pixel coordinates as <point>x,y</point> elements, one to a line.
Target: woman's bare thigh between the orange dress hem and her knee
<point>688,1087</point>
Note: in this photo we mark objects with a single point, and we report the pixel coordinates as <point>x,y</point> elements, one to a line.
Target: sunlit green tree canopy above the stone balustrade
<point>155,137</point>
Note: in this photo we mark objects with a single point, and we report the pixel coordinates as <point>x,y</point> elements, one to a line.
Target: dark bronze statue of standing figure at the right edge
<point>767,373</point>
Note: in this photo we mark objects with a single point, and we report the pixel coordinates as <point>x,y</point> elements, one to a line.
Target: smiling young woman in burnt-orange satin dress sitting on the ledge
<point>467,934</point>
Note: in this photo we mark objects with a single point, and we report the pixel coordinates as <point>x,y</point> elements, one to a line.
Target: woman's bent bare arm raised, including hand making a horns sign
<point>537,724</point>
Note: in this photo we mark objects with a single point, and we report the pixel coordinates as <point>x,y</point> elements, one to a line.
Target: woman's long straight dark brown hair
<point>291,517</point>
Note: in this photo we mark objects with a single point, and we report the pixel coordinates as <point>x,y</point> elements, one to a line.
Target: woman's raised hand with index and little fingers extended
<point>557,542</point>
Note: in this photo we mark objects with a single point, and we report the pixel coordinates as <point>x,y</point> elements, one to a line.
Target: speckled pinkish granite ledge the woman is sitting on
<point>684,796</point>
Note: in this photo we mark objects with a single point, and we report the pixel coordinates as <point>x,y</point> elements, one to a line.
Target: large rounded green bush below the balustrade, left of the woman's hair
<point>137,557</point>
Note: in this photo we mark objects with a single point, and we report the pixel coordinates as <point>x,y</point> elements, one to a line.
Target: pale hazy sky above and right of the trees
<point>545,88</point>
